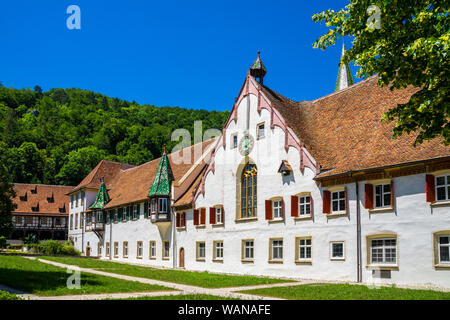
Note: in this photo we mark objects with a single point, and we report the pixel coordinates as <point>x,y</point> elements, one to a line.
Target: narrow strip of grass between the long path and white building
<point>201,279</point>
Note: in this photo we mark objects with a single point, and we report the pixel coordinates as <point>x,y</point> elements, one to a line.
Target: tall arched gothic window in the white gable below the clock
<point>248,191</point>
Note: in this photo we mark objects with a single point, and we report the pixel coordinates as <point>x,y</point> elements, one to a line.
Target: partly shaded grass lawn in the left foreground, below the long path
<point>42,279</point>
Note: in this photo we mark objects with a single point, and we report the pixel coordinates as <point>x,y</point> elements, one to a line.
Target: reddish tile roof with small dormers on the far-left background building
<point>26,199</point>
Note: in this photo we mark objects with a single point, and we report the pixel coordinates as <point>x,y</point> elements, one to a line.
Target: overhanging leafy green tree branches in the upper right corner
<point>406,43</point>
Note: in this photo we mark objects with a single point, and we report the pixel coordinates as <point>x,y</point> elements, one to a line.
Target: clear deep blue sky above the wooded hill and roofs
<point>192,54</point>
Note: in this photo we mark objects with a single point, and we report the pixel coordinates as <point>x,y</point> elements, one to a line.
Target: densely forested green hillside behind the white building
<point>57,137</point>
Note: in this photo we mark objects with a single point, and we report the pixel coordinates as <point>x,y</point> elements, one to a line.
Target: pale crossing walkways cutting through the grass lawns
<point>181,288</point>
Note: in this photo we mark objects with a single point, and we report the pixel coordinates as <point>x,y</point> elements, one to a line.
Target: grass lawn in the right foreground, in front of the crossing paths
<point>348,292</point>
